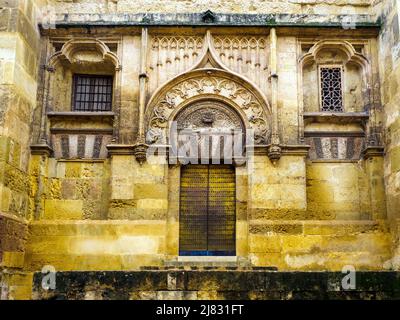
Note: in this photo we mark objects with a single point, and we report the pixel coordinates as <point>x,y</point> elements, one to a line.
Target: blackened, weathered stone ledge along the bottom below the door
<point>216,285</point>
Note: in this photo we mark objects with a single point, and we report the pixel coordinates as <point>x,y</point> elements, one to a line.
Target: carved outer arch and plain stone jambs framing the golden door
<point>248,107</point>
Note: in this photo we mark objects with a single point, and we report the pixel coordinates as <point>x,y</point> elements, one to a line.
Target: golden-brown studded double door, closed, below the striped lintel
<point>208,210</point>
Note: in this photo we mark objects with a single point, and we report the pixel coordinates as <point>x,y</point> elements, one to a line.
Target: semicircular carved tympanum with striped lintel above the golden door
<point>215,124</point>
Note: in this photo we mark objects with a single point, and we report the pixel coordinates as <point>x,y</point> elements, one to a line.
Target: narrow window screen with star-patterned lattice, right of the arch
<point>331,89</point>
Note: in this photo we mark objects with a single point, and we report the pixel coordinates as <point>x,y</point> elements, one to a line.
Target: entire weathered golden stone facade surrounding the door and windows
<point>77,191</point>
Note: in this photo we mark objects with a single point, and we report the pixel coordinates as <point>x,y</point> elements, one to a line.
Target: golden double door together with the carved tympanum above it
<point>207,214</point>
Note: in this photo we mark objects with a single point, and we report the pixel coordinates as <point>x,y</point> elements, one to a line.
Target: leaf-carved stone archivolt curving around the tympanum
<point>208,87</point>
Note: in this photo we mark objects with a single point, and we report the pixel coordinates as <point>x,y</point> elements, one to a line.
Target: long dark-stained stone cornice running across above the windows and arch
<point>221,19</point>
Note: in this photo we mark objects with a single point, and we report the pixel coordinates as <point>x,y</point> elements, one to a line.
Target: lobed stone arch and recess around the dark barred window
<point>88,56</point>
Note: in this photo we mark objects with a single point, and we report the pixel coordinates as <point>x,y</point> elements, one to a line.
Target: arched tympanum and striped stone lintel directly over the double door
<point>207,132</point>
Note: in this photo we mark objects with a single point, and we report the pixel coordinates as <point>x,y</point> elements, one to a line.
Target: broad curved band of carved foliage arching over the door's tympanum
<point>207,84</point>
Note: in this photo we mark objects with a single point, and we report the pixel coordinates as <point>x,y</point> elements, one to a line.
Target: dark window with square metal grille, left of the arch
<point>92,93</point>
